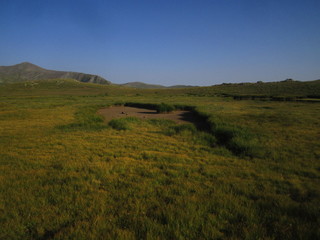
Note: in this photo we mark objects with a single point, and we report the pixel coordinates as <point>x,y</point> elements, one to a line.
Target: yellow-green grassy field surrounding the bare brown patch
<point>252,173</point>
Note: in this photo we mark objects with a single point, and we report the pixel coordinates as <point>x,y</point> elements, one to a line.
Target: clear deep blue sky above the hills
<point>196,42</point>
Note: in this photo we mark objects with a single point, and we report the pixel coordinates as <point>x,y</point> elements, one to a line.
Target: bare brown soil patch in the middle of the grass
<point>122,111</point>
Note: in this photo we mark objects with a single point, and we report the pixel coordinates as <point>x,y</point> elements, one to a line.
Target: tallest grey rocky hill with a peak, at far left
<point>27,71</point>
